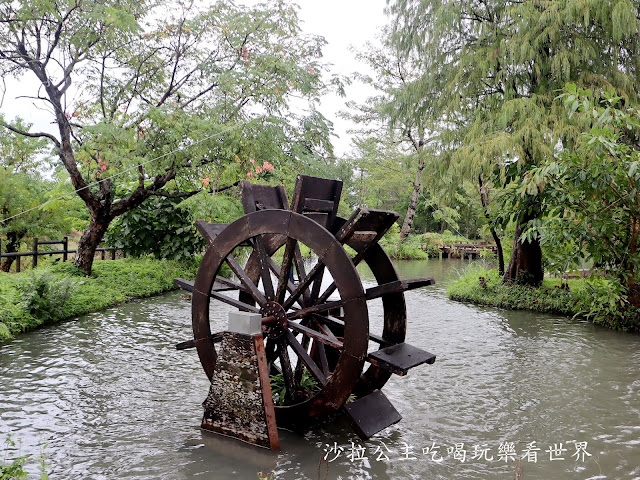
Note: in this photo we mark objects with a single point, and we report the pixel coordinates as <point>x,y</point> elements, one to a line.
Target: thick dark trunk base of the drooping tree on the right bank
<point>525,266</point>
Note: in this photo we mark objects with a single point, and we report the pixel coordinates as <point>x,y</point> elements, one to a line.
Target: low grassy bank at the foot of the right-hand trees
<point>595,299</point>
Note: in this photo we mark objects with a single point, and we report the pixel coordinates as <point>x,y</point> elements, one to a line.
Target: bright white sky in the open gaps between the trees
<point>343,23</point>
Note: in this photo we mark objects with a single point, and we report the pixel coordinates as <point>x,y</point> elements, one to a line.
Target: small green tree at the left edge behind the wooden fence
<point>22,189</point>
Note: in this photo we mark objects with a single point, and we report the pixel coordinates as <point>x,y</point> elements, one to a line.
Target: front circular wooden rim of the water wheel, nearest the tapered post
<point>330,252</point>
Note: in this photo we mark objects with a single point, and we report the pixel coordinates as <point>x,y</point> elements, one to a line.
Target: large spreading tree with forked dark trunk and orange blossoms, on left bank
<point>139,91</point>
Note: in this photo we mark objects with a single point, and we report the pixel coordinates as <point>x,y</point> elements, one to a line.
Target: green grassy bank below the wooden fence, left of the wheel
<point>59,291</point>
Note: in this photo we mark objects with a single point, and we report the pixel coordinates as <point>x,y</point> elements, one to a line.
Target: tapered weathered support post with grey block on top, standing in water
<point>240,404</point>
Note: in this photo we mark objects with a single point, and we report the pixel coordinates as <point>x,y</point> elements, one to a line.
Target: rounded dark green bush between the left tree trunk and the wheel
<point>157,227</point>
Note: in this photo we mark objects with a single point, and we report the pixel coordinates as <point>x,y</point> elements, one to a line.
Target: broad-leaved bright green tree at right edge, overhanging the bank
<point>592,189</point>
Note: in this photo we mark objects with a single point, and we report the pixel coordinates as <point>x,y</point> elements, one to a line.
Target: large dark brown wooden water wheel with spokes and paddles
<point>314,307</point>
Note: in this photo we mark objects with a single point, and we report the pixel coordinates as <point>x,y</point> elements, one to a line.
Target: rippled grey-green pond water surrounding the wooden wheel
<point>112,398</point>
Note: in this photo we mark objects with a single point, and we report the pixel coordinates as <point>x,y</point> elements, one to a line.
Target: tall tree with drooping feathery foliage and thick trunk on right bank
<point>490,73</point>
